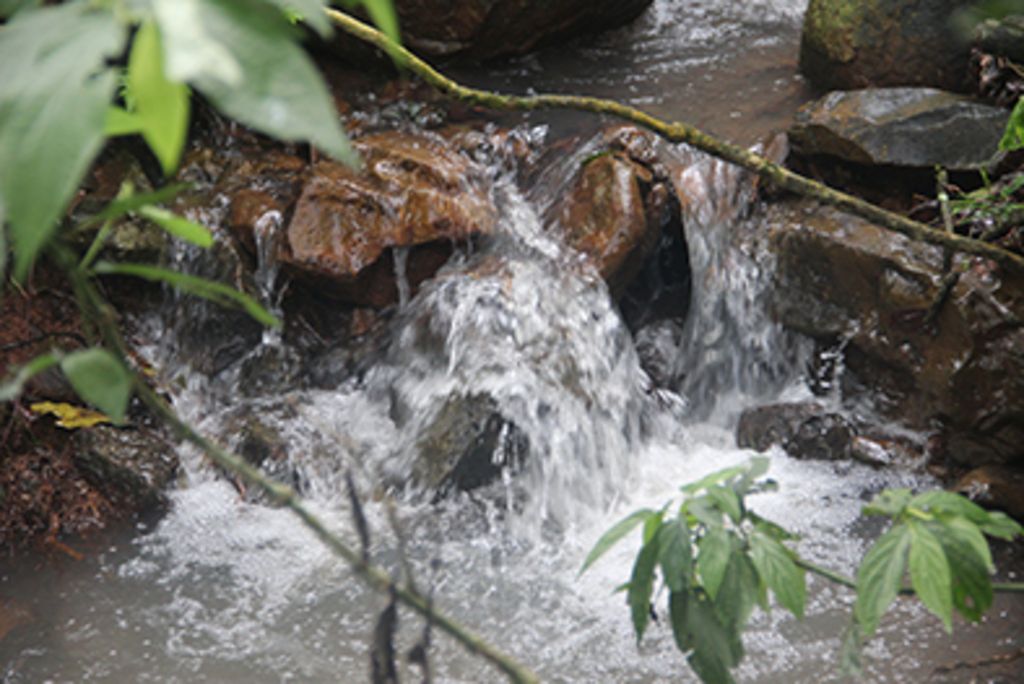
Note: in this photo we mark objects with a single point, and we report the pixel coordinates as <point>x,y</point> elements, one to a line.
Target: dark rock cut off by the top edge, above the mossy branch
<point>485,29</point>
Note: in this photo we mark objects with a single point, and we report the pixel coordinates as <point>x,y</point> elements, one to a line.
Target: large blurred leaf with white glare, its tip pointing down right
<point>245,59</point>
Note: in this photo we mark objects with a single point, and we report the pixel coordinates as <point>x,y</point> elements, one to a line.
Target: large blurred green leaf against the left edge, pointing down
<point>55,91</point>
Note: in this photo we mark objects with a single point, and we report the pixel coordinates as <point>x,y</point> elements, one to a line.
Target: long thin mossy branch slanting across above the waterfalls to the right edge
<point>680,133</point>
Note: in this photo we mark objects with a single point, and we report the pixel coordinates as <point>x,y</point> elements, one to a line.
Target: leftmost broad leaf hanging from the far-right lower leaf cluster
<point>880,577</point>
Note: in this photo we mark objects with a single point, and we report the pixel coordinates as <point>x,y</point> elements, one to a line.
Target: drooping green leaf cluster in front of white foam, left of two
<point>718,561</point>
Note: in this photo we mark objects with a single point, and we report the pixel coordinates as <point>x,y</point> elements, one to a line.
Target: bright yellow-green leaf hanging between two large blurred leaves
<point>161,107</point>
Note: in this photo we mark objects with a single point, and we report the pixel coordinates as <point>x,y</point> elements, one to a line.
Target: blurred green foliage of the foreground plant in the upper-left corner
<point>63,96</point>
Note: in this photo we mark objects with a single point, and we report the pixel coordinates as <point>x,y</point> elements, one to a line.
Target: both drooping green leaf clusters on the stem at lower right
<point>719,561</point>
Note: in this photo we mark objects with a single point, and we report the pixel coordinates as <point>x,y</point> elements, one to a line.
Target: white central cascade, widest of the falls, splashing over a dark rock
<point>533,328</point>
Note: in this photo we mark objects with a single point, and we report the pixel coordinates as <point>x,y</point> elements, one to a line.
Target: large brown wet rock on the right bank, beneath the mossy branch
<point>841,278</point>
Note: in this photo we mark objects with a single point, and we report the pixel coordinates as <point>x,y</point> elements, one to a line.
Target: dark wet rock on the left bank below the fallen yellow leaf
<point>137,463</point>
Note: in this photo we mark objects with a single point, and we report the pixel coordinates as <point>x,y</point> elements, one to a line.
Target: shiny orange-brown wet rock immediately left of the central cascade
<point>416,197</point>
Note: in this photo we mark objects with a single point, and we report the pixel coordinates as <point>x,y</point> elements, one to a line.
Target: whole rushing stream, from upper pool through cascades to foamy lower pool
<point>224,589</point>
